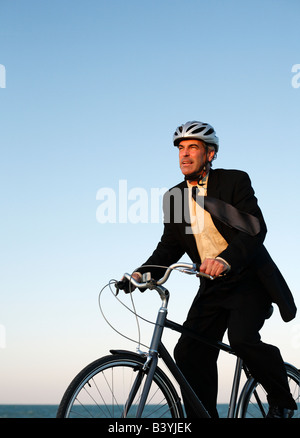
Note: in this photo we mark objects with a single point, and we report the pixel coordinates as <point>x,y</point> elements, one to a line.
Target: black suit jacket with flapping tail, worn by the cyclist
<point>243,251</point>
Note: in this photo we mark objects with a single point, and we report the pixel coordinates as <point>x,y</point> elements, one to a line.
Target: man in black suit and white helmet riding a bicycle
<point>246,279</point>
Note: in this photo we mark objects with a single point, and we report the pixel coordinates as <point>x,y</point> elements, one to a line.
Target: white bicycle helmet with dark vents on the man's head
<point>198,131</point>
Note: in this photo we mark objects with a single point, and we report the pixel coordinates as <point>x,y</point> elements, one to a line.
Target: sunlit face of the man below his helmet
<point>192,155</point>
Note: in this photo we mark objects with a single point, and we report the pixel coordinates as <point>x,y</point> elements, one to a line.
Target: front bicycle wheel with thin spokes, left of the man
<point>111,387</point>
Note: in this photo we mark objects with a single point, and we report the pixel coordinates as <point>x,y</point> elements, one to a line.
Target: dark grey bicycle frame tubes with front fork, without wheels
<point>158,349</point>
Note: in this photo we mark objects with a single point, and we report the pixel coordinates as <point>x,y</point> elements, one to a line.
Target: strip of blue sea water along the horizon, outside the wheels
<point>49,411</point>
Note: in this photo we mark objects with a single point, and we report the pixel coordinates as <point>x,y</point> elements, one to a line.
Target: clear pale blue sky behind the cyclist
<point>94,91</point>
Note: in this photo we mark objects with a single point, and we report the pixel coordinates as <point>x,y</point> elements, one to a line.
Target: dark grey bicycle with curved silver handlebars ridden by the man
<point>127,384</point>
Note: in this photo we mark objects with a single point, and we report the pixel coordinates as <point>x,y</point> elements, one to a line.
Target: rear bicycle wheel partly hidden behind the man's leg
<point>253,400</point>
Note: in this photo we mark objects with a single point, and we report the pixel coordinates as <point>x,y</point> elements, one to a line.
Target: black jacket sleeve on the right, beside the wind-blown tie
<point>243,248</point>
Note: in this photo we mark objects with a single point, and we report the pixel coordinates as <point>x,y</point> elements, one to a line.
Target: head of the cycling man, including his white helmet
<point>198,145</point>
